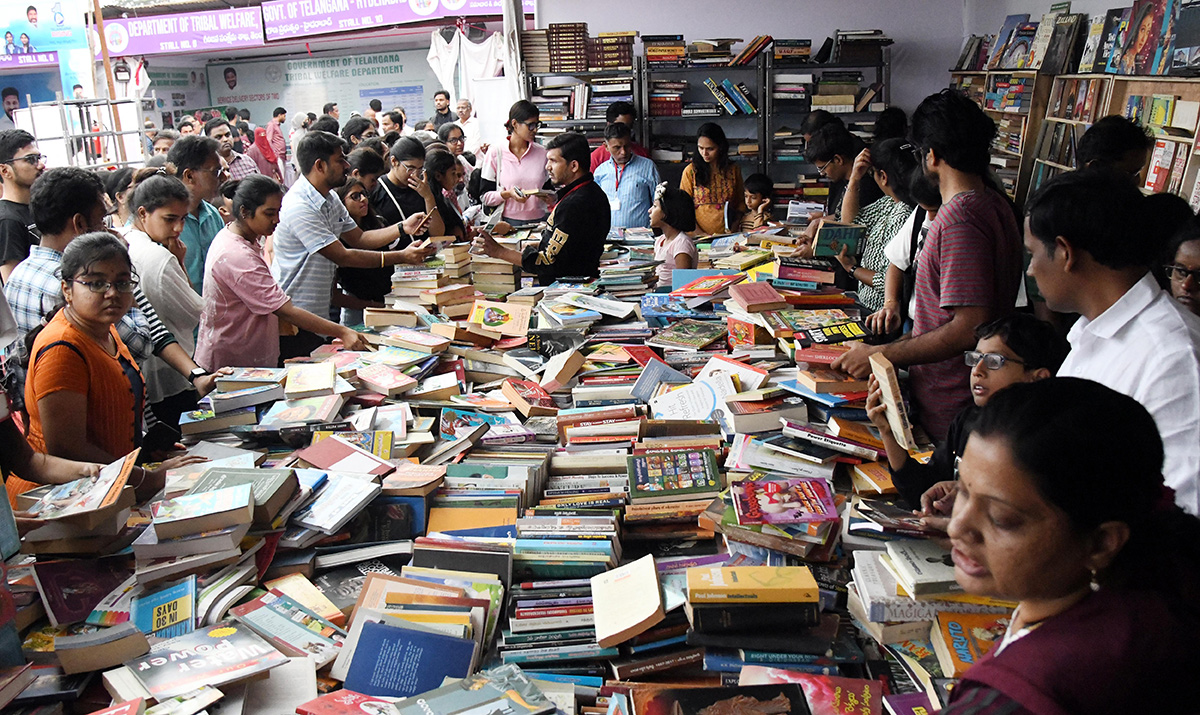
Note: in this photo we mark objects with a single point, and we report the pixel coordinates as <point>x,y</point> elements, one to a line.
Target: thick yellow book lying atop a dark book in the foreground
<point>757,585</point>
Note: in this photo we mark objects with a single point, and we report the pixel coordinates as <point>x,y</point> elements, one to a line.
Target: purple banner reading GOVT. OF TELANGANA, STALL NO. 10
<point>287,20</point>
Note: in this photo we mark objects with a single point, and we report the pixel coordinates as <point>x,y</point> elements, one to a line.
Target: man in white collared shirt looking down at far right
<point>1089,257</point>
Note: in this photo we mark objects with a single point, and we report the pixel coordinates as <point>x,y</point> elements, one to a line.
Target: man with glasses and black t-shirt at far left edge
<point>21,165</point>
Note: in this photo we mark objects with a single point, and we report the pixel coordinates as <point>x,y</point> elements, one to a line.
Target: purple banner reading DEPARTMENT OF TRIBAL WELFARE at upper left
<point>190,32</point>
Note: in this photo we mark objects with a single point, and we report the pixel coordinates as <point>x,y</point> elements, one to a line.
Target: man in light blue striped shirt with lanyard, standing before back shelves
<point>628,179</point>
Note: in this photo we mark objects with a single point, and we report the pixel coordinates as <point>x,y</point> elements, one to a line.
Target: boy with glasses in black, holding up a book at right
<point>1015,350</point>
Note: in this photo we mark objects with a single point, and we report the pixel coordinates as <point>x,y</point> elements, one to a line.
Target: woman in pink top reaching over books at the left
<point>243,304</point>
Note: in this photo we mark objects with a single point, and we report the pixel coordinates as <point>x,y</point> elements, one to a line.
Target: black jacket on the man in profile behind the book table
<point>575,235</point>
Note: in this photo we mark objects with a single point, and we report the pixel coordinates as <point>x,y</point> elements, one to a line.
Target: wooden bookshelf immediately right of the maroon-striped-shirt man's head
<point>1017,101</point>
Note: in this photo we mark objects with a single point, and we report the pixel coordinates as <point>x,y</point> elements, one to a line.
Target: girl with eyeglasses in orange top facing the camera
<point>83,390</point>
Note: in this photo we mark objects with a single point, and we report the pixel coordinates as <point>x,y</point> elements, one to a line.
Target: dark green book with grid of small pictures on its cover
<point>671,477</point>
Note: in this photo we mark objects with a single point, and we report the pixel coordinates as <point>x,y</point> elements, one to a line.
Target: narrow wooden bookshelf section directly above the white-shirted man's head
<point>1077,101</point>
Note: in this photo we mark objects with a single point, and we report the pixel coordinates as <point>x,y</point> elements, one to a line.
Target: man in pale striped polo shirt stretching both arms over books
<point>316,236</point>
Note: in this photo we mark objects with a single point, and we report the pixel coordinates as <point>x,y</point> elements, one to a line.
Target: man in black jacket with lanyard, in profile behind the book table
<point>574,239</point>
